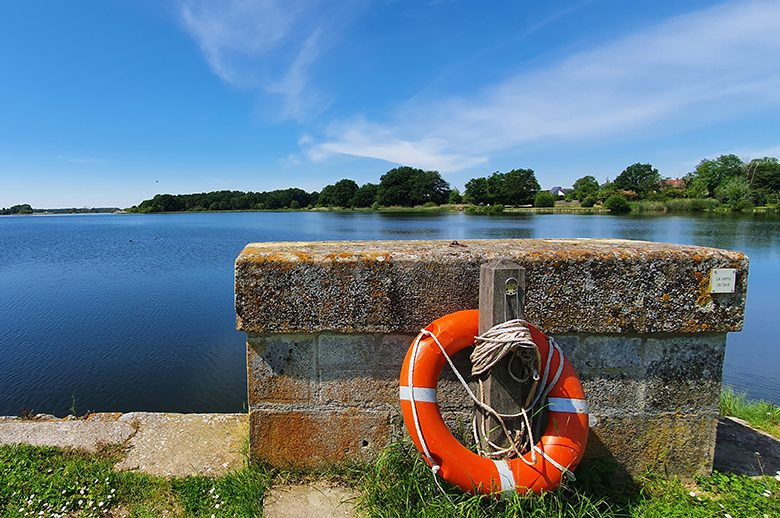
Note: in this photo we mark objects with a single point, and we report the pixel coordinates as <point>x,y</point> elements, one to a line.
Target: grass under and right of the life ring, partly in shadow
<point>401,484</point>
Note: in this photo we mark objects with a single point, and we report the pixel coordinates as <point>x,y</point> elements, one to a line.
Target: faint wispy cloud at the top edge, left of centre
<point>269,44</point>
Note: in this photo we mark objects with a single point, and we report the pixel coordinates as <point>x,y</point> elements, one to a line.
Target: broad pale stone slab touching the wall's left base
<point>178,445</point>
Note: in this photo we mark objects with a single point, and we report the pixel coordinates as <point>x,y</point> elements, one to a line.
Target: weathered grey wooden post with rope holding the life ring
<point>501,298</point>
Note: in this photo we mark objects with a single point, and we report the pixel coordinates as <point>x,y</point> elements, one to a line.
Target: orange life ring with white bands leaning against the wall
<point>559,450</point>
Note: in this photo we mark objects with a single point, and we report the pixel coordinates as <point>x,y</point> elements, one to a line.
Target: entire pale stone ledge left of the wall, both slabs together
<point>170,445</point>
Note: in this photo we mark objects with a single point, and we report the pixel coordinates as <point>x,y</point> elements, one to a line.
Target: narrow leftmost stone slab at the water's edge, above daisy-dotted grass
<point>85,434</point>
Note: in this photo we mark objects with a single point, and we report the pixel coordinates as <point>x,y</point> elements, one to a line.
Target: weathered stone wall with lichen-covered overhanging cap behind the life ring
<point>328,326</point>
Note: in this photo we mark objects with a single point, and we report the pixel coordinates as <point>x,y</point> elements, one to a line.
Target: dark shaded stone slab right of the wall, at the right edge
<point>745,450</point>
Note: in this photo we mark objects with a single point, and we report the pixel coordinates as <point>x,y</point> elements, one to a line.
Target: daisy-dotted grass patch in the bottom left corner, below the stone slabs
<point>55,481</point>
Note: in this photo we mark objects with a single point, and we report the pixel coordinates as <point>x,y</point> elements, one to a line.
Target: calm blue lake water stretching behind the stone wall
<point>135,312</point>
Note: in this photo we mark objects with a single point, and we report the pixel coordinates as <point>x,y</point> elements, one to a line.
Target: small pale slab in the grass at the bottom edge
<point>319,500</point>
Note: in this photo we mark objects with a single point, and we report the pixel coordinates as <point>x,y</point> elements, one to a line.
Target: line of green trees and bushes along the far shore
<point>721,185</point>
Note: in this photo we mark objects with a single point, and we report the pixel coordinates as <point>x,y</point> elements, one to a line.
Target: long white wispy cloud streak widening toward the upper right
<point>690,70</point>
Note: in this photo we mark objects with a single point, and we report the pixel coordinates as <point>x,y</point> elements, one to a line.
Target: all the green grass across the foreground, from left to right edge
<point>398,483</point>
